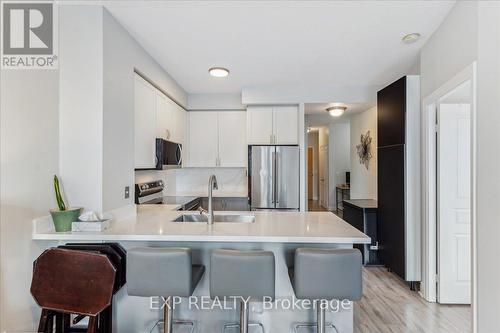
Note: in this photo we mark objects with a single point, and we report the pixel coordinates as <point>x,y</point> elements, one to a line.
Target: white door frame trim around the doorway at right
<point>429,188</point>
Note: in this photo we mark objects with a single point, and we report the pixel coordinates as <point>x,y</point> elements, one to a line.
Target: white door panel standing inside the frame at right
<point>454,193</point>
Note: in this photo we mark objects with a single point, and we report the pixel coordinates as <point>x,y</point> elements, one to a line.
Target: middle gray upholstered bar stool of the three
<point>242,274</point>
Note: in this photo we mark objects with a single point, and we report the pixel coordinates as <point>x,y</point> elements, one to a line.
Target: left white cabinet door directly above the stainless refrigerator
<point>259,125</point>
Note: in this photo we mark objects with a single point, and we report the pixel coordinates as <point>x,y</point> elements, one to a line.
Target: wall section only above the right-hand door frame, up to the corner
<point>451,48</point>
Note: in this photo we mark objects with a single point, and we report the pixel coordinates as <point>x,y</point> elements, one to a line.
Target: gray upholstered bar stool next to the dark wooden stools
<point>163,272</point>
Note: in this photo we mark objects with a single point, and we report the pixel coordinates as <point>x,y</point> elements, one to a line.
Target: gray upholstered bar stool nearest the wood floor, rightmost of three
<point>326,274</point>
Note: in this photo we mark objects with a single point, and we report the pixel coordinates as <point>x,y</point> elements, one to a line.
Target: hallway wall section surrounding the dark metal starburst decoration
<point>363,181</point>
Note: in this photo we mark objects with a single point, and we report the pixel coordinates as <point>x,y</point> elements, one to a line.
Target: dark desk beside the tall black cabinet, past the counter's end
<point>362,214</point>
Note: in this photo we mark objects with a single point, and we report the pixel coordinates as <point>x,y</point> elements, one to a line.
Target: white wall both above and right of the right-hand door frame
<point>472,32</point>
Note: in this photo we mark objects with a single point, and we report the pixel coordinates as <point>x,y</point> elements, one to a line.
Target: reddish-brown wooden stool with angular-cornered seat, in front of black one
<point>72,282</point>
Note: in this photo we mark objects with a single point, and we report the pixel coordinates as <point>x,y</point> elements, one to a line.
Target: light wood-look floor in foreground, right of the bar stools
<point>389,306</point>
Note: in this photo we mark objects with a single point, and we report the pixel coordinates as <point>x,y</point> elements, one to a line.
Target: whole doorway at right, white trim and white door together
<point>449,196</point>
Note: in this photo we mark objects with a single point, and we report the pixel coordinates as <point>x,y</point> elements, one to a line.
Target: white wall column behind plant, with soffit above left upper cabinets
<point>97,105</point>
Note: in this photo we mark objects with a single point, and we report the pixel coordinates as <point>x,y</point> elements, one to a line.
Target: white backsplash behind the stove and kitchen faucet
<point>191,180</point>
